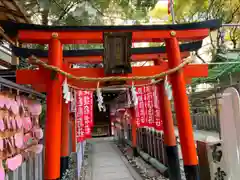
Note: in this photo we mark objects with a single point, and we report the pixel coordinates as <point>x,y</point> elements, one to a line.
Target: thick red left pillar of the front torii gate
<point>54,109</point>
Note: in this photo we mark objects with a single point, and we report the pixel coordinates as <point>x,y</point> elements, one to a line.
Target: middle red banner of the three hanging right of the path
<point>149,106</point>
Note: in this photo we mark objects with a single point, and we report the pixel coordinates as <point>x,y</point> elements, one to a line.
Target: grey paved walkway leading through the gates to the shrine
<point>108,163</point>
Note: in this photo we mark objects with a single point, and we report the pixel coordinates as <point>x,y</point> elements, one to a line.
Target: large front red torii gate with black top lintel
<point>56,36</point>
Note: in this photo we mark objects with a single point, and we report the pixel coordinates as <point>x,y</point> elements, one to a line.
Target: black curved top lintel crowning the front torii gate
<point>8,27</point>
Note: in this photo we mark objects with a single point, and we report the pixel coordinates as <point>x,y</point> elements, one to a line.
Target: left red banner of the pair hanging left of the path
<point>80,134</point>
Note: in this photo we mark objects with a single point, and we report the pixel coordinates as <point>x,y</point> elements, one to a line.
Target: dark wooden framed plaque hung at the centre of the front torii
<point>117,53</point>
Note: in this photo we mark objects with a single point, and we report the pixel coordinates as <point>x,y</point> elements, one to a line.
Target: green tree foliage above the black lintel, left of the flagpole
<point>85,12</point>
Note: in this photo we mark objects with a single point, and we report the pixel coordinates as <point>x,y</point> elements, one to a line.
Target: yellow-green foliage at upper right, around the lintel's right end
<point>199,10</point>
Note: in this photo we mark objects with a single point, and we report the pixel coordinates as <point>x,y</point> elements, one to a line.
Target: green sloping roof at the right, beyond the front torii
<point>221,70</point>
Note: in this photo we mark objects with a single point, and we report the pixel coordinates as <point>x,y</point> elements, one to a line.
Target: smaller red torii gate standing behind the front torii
<point>170,139</point>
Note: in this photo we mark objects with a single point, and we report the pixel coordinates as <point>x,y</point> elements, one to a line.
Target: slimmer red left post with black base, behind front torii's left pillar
<point>64,138</point>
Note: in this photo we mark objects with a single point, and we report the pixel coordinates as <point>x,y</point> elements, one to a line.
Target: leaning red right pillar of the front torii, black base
<point>182,110</point>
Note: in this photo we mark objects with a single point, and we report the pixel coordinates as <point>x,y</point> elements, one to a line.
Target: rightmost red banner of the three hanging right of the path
<point>157,114</point>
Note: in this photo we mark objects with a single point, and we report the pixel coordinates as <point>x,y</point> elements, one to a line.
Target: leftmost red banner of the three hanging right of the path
<point>140,108</point>
